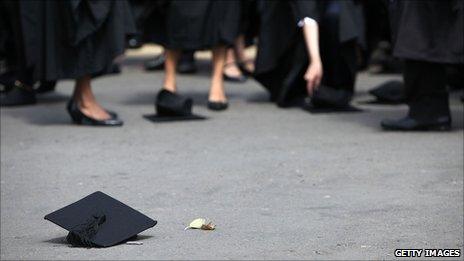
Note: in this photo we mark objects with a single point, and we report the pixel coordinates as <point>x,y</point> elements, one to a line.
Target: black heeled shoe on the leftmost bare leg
<point>80,118</point>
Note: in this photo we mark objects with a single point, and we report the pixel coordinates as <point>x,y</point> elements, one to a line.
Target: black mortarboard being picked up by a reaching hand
<point>326,99</point>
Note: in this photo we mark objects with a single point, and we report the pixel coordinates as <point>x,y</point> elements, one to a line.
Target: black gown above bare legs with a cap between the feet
<point>193,25</point>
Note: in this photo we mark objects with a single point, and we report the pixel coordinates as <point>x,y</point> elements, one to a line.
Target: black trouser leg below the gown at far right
<point>426,92</point>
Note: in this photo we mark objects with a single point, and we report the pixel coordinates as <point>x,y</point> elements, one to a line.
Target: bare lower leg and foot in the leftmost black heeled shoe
<point>86,101</point>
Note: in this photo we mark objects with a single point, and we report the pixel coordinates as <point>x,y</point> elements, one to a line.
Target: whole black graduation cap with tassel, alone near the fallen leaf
<point>99,220</point>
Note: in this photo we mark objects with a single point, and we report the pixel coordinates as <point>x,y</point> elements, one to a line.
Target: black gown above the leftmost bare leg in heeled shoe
<point>73,38</point>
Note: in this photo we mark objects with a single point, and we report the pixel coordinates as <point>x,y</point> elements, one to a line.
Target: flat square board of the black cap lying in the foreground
<point>122,222</point>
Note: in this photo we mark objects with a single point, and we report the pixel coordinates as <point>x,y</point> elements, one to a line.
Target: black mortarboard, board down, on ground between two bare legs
<point>171,106</point>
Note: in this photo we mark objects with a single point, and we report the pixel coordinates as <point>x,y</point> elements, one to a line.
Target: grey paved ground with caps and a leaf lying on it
<point>279,183</point>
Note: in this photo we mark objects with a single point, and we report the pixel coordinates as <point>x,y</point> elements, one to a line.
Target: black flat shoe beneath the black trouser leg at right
<point>410,124</point>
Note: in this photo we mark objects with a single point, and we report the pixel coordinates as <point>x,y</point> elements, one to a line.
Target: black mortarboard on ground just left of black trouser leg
<point>391,92</point>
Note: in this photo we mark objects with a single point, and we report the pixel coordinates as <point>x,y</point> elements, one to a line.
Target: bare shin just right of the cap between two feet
<point>217,93</point>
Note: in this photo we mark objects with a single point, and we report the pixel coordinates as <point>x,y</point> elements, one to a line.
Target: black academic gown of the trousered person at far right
<point>429,30</point>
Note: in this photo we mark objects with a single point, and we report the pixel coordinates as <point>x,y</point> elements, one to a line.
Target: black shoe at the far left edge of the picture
<point>18,94</point>
